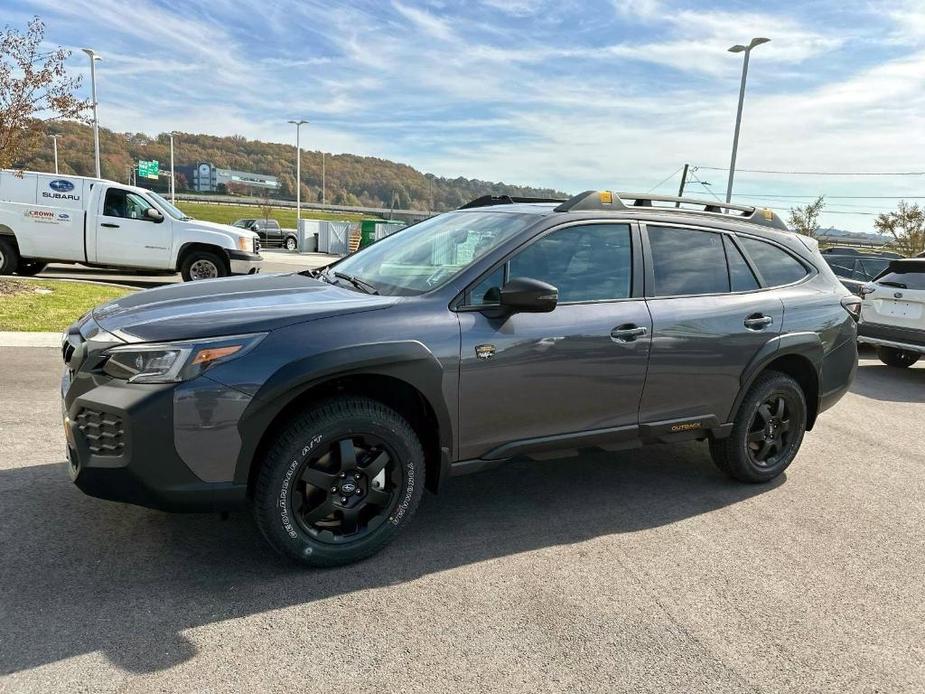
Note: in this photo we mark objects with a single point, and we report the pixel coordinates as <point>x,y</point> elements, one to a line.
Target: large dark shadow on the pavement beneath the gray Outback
<point>79,575</point>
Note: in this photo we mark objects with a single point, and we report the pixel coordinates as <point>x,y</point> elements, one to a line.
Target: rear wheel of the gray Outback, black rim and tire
<point>767,431</point>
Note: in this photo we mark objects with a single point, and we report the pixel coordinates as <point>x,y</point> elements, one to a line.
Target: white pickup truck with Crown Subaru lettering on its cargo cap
<point>71,219</point>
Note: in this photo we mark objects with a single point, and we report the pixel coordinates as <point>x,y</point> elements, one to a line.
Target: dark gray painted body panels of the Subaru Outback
<point>553,381</point>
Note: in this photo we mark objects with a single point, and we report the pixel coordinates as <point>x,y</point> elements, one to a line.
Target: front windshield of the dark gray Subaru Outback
<point>428,255</point>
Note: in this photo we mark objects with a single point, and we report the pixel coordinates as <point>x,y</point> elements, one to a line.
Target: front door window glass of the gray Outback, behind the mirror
<point>585,263</point>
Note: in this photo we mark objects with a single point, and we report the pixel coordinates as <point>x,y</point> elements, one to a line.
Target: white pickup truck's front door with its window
<point>126,236</point>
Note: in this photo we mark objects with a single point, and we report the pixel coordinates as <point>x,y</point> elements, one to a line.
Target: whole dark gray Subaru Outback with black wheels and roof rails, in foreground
<point>327,401</point>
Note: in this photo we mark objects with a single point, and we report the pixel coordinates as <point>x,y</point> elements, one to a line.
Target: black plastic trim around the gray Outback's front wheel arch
<point>408,361</point>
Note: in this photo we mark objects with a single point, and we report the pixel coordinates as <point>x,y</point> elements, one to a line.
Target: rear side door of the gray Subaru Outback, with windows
<point>709,319</point>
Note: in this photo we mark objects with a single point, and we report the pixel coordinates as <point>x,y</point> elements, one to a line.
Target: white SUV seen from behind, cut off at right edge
<point>893,313</point>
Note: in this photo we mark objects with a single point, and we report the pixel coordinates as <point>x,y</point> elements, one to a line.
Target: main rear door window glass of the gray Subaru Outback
<point>688,262</point>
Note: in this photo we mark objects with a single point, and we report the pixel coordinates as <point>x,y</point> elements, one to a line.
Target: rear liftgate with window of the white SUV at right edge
<point>898,299</point>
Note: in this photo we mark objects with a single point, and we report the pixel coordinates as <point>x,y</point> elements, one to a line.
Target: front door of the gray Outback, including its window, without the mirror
<point>579,368</point>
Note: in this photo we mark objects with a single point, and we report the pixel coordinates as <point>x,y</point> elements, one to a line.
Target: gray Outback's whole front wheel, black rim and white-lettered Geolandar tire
<point>339,482</point>
